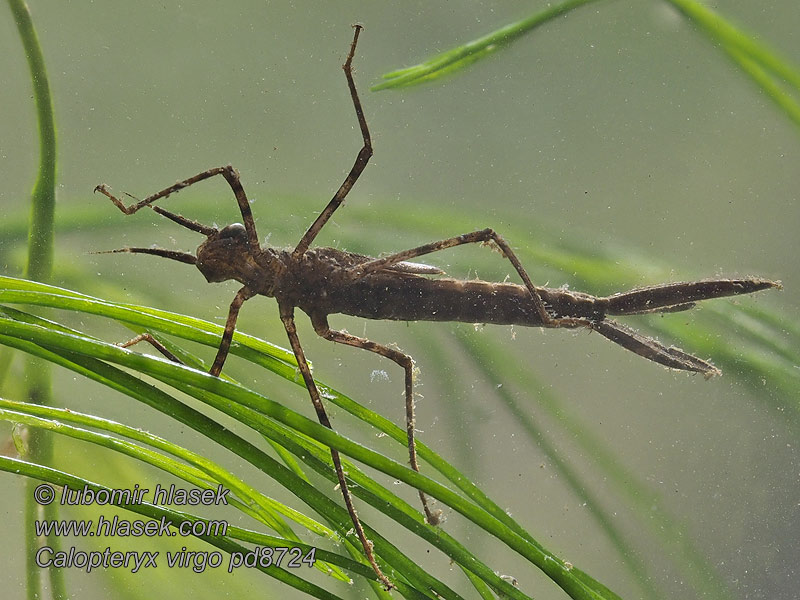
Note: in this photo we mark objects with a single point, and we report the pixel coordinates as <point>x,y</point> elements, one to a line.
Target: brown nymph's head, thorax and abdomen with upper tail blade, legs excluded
<point>325,281</point>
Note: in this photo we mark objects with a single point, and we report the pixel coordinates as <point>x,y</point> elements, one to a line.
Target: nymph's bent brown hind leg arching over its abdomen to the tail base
<point>482,236</point>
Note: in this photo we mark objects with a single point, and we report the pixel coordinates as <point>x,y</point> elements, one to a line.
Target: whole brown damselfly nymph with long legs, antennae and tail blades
<point>325,281</point>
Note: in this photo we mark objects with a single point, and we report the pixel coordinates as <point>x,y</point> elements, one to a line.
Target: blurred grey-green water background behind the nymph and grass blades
<point>618,129</point>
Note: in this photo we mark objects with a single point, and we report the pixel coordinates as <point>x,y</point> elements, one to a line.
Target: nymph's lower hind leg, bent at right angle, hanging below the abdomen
<point>320,323</point>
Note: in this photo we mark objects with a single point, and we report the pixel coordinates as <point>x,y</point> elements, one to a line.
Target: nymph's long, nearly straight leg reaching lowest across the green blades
<point>287,317</point>
